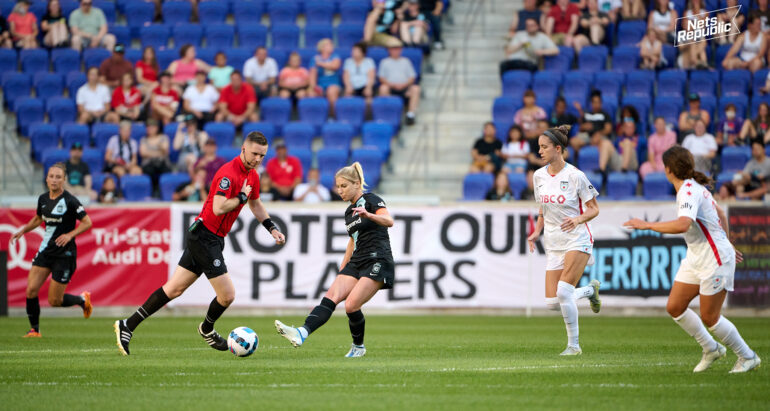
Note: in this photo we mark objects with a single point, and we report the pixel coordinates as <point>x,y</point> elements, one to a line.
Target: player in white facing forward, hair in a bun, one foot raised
<point>562,191</point>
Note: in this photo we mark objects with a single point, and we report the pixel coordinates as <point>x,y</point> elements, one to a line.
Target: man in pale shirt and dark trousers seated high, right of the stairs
<point>527,48</point>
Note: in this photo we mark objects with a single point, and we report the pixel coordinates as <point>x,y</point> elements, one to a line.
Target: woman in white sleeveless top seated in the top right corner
<point>748,51</point>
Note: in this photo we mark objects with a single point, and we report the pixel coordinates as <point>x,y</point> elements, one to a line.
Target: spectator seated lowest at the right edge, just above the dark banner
<point>752,182</point>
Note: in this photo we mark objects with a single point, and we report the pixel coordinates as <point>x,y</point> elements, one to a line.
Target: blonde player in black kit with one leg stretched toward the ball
<point>366,267</point>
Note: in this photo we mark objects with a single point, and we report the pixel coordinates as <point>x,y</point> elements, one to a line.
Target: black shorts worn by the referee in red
<point>203,253</point>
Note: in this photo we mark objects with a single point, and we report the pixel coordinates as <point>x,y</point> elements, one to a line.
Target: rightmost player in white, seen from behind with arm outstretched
<point>708,267</point>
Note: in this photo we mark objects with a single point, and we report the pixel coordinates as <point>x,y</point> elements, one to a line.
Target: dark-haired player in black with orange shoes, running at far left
<point>59,210</point>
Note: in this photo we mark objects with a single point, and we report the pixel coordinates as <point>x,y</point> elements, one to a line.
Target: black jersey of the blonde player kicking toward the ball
<point>371,239</point>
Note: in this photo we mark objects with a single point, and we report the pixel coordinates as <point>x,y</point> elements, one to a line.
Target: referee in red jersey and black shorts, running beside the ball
<point>230,190</point>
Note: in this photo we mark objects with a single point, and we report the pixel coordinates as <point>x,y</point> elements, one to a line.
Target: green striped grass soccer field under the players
<point>413,362</point>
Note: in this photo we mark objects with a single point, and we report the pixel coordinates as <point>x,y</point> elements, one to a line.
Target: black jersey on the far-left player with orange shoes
<point>59,216</point>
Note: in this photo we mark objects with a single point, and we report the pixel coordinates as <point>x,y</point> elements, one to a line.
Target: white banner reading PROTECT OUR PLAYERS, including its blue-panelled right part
<point>455,255</point>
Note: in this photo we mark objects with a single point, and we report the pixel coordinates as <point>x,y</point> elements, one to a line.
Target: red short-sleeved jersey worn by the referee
<point>228,182</point>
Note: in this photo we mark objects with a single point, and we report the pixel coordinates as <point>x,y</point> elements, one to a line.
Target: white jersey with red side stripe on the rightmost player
<point>707,243</point>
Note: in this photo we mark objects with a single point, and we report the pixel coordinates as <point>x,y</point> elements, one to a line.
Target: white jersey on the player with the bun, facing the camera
<point>563,195</point>
